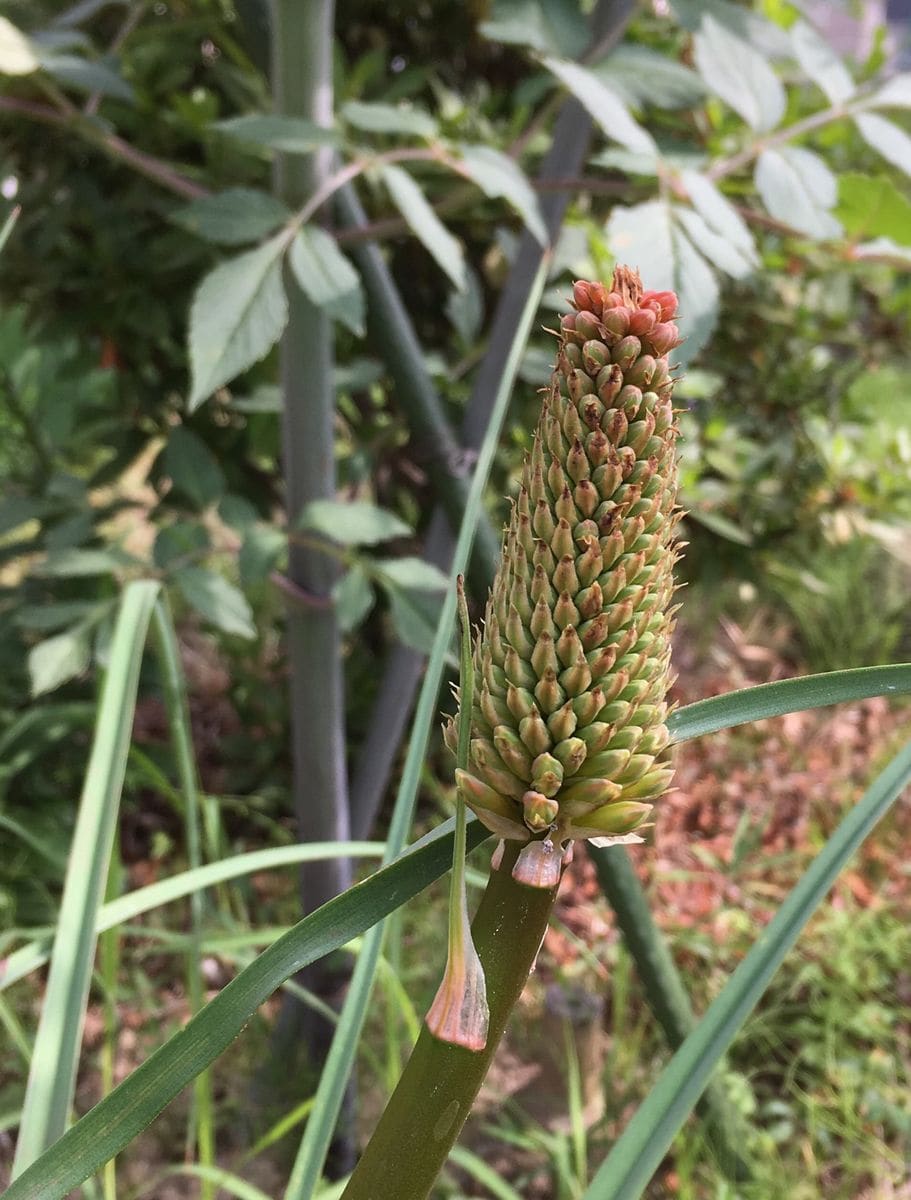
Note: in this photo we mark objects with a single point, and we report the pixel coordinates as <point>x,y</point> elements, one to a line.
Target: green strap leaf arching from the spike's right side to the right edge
<point>788,697</point>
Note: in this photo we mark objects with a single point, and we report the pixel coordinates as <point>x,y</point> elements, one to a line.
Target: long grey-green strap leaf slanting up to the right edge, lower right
<point>637,1156</point>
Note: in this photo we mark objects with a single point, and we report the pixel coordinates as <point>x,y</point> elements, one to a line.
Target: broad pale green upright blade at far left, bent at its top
<point>52,1079</point>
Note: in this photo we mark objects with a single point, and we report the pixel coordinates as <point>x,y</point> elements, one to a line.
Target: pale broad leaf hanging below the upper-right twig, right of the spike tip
<point>799,189</point>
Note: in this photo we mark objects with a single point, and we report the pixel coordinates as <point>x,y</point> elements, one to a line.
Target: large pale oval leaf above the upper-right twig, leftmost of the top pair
<point>740,75</point>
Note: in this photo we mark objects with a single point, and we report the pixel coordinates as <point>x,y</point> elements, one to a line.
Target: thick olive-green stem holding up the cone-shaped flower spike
<point>435,1095</point>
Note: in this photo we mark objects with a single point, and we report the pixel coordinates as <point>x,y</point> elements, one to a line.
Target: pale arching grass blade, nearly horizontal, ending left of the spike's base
<point>33,956</point>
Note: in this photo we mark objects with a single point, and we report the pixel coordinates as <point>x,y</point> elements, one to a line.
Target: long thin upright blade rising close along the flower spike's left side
<point>317,1136</point>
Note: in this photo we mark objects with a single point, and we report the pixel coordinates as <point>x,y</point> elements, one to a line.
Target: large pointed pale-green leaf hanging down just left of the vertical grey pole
<point>239,313</point>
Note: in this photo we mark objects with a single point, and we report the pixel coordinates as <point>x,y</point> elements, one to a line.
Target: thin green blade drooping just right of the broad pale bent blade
<point>201,1127</point>
